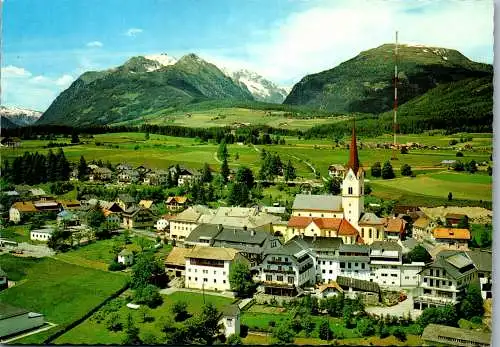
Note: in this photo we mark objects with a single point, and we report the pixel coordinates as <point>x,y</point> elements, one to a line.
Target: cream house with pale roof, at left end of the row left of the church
<point>182,224</point>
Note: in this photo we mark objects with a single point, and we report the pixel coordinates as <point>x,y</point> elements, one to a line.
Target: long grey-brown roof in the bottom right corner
<point>435,332</point>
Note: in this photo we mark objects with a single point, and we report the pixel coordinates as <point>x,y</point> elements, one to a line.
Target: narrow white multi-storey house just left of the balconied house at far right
<point>386,259</point>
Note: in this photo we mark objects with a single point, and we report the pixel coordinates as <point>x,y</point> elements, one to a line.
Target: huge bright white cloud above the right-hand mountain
<point>329,33</point>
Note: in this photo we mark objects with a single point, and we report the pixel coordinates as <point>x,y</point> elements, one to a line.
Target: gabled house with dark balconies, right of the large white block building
<point>285,270</point>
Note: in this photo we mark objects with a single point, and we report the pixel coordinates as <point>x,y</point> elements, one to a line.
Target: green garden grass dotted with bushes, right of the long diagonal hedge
<point>91,332</point>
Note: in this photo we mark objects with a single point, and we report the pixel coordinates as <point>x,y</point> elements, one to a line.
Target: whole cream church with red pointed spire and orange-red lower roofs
<point>338,215</point>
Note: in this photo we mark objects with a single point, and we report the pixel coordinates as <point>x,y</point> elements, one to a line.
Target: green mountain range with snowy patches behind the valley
<point>430,80</point>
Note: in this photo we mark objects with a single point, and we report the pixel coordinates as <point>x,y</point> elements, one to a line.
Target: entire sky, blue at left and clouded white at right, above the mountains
<point>46,44</point>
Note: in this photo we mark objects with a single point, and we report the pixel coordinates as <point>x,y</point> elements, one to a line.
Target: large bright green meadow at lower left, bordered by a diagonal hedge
<point>62,292</point>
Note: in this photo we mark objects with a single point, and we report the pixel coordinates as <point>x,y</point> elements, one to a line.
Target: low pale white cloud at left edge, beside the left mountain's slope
<point>21,88</point>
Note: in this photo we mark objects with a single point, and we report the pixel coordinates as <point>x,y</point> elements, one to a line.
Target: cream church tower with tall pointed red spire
<point>353,185</point>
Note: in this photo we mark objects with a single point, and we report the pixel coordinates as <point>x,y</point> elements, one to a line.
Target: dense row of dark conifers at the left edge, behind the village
<point>35,168</point>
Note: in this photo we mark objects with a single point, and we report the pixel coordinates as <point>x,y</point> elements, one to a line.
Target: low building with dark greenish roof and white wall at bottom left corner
<point>14,320</point>
